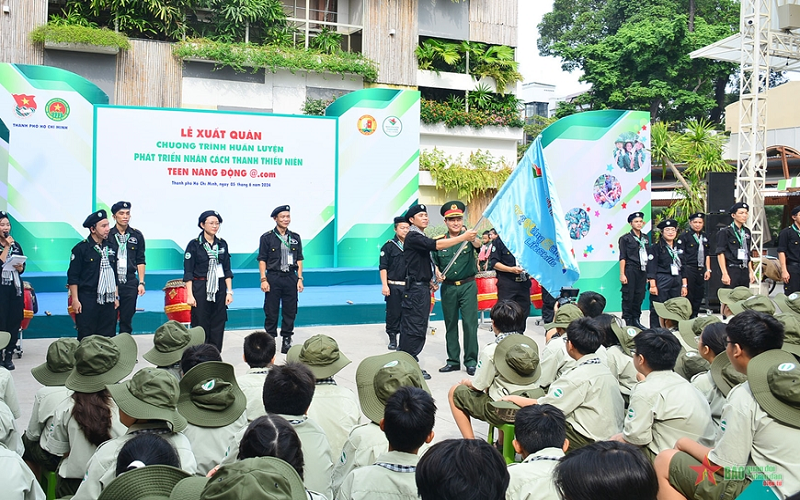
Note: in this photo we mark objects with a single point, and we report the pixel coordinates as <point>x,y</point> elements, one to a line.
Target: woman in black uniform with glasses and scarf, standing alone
<point>207,273</point>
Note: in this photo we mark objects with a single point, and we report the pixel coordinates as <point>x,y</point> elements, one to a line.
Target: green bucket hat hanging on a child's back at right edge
<point>774,378</point>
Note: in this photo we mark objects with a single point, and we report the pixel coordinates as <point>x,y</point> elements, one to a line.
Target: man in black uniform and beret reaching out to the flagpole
<point>419,279</point>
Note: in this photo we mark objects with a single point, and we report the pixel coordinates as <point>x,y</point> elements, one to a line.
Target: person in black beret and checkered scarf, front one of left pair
<point>92,280</point>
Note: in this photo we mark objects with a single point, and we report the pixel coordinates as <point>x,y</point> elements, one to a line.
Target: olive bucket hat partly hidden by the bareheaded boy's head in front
<point>377,377</point>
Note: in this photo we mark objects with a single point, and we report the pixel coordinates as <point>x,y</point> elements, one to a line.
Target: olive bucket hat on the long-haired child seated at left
<point>100,361</point>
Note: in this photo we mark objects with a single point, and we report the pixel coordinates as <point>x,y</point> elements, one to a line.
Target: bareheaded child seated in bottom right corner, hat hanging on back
<point>761,422</point>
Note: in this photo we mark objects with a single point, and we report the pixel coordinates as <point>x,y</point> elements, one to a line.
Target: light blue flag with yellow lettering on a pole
<point>527,215</point>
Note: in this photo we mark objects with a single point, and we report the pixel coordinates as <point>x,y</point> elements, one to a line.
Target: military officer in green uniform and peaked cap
<point>459,291</point>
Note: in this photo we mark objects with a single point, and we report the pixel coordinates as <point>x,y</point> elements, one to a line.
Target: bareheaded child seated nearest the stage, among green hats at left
<point>259,354</point>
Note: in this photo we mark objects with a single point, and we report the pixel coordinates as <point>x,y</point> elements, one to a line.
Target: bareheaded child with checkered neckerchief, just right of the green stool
<point>540,437</point>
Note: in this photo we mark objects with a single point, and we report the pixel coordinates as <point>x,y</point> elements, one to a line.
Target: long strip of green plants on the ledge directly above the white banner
<point>241,56</point>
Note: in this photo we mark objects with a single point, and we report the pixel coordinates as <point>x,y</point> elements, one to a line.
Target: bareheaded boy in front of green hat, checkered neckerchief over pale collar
<point>408,423</point>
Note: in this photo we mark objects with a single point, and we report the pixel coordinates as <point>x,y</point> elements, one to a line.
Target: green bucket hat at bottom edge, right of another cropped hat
<point>262,478</point>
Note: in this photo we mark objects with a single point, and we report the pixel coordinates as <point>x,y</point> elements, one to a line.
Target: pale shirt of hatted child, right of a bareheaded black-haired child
<point>336,410</point>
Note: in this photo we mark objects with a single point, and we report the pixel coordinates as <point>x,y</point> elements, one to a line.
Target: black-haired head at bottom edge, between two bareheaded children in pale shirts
<point>462,469</point>
